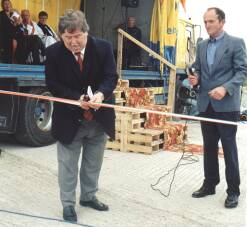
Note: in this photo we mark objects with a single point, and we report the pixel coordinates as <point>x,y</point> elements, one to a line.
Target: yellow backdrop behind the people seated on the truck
<point>54,8</point>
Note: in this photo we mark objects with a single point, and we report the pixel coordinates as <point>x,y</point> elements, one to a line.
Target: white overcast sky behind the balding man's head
<point>235,15</point>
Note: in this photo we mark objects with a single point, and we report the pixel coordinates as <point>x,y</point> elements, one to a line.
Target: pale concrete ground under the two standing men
<point>28,185</point>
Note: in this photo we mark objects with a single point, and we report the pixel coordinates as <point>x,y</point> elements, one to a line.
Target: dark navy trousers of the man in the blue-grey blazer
<point>212,133</point>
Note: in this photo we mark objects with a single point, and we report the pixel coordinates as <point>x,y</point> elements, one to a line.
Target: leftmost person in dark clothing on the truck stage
<point>9,19</point>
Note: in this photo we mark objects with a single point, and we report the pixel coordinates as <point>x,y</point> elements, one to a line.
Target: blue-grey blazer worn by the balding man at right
<point>229,70</point>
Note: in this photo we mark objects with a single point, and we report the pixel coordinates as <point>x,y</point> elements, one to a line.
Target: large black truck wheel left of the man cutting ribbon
<point>34,122</point>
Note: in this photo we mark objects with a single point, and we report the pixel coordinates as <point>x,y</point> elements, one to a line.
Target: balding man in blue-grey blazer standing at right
<point>220,70</point>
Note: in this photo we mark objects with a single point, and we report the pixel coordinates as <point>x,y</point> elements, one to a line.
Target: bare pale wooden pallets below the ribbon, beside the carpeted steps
<point>132,137</point>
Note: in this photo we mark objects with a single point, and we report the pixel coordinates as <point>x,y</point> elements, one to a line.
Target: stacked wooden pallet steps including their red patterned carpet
<point>143,132</point>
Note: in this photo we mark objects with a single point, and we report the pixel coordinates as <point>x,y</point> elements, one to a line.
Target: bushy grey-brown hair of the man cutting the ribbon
<point>72,20</point>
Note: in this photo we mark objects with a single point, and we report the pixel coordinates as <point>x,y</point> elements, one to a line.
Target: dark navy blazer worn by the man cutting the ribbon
<point>64,79</point>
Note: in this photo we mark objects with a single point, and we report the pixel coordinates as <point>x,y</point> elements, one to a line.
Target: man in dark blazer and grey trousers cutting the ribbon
<point>72,65</point>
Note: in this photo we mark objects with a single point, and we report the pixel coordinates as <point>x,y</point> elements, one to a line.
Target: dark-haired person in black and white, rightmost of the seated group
<point>50,36</point>
